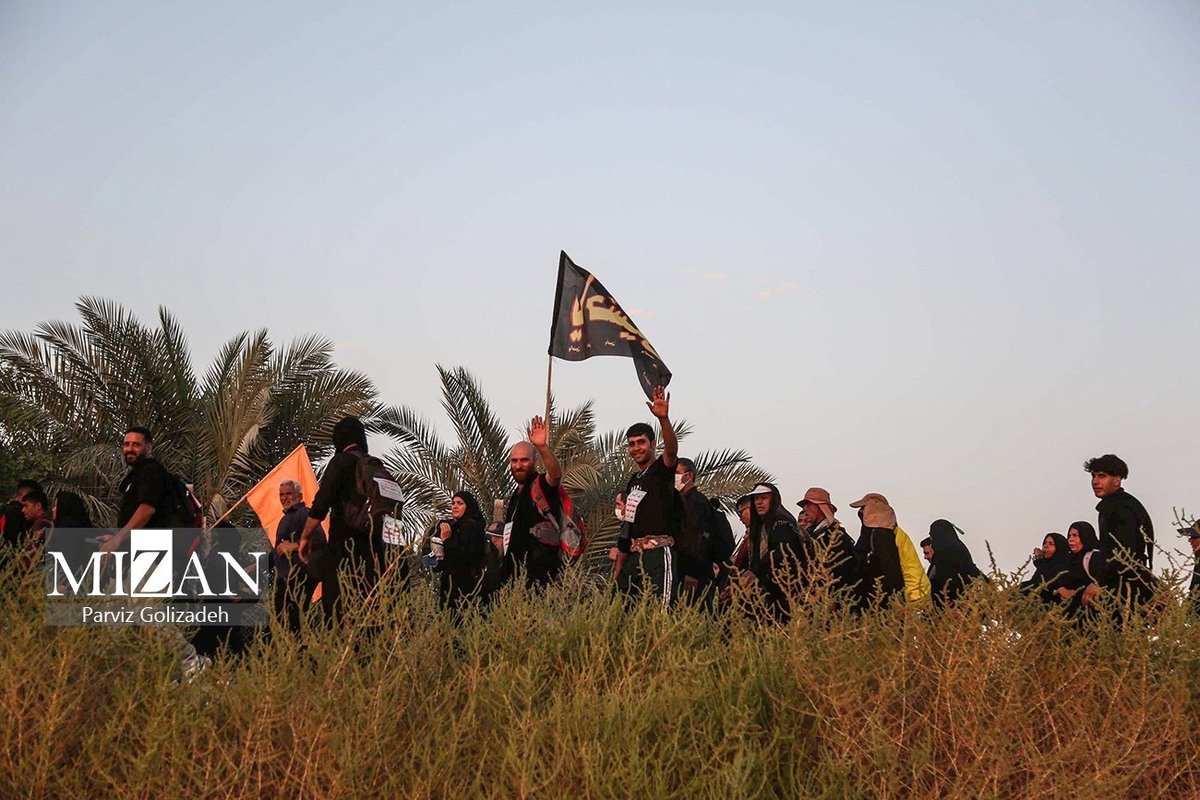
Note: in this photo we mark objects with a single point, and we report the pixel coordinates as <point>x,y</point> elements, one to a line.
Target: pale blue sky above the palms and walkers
<point>943,251</point>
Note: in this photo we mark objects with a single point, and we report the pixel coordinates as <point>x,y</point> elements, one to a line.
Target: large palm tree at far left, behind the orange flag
<point>79,388</point>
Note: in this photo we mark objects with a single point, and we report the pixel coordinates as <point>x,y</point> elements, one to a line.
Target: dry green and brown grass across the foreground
<point>575,695</point>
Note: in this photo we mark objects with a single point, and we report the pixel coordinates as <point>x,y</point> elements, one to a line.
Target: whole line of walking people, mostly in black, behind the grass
<point>674,543</point>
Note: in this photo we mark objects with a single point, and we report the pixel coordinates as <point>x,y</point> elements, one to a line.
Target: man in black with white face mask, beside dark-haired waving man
<point>703,543</point>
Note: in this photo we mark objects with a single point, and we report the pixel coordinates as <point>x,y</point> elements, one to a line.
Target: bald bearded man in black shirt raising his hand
<point>529,544</point>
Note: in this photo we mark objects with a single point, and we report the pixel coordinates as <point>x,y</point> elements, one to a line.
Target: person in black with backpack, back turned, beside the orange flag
<point>358,551</point>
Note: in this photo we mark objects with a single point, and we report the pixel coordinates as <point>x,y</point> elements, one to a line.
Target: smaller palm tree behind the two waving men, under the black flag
<point>596,467</point>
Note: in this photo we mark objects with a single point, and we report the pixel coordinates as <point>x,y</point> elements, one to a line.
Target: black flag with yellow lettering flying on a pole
<point>589,322</point>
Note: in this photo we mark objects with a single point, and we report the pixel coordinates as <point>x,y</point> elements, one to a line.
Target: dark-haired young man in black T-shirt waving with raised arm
<point>651,509</point>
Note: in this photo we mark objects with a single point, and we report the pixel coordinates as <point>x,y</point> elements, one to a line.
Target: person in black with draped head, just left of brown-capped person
<point>778,554</point>
